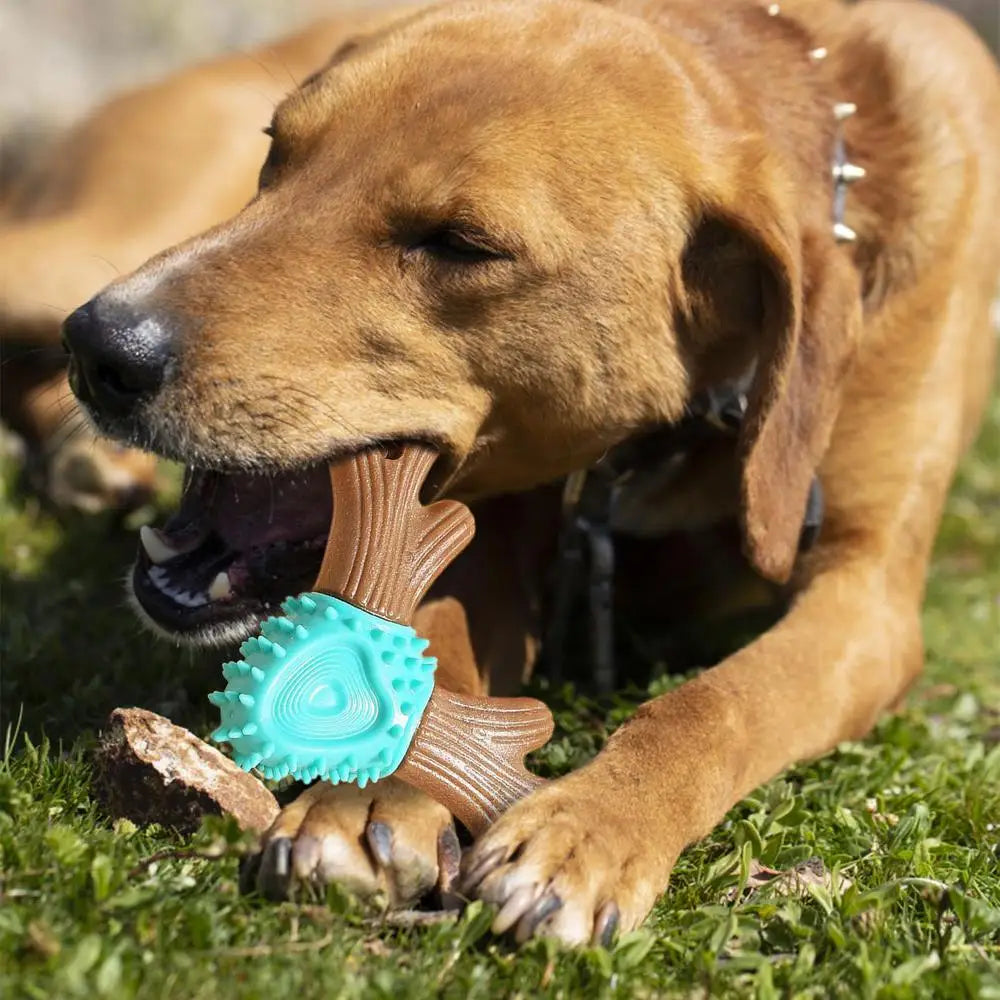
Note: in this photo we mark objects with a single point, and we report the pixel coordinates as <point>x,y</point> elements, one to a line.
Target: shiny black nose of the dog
<point>118,358</point>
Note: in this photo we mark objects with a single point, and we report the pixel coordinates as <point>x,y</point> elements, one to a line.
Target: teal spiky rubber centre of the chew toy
<point>327,690</point>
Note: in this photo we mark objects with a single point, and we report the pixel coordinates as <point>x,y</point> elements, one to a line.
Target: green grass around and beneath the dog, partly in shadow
<point>907,824</point>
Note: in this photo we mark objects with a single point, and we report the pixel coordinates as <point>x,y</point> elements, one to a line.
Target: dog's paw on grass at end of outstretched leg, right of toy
<point>567,862</point>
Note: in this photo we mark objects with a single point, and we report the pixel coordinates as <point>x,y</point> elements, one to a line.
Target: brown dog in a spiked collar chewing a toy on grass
<point>526,232</point>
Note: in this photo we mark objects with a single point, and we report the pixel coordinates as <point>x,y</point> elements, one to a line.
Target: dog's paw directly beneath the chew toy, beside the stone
<point>386,841</point>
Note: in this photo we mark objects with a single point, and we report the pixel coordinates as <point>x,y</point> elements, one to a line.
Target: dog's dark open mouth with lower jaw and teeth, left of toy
<point>237,546</point>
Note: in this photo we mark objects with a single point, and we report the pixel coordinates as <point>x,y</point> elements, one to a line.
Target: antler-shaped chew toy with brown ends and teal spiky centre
<point>340,687</point>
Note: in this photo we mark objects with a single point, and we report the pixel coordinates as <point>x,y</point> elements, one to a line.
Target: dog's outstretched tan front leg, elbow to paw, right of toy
<point>592,851</point>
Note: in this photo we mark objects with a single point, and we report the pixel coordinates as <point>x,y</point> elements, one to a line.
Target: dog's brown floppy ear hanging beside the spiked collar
<point>807,305</point>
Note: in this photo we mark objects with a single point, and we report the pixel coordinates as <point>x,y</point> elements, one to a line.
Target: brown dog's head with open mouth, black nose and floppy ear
<point>516,231</point>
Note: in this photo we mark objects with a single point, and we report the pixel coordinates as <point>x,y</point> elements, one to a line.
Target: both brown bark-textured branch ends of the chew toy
<point>384,551</point>
